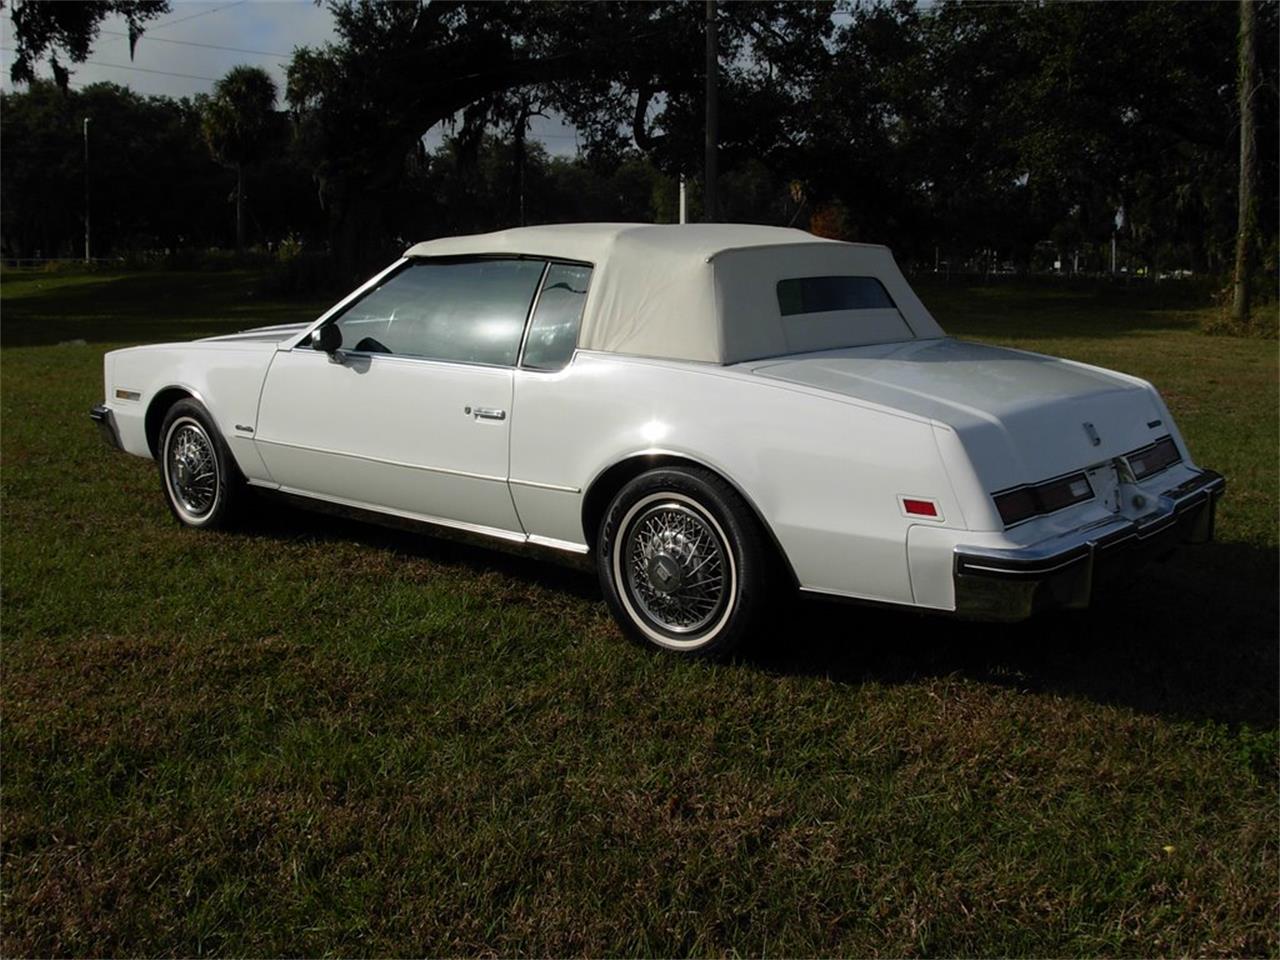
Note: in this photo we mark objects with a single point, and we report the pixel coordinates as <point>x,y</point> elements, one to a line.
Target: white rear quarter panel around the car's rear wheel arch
<point>844,536</point>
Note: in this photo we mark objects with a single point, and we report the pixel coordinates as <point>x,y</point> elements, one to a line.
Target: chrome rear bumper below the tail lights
<point>1060,573</point>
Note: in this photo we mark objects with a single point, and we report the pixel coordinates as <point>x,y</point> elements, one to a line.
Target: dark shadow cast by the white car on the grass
<point>1194,638</point>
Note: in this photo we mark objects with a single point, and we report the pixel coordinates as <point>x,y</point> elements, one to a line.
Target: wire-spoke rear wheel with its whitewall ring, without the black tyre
<point>676,569</point>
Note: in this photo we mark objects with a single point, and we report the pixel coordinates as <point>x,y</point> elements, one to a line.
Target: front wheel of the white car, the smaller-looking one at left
<point>200,479</point>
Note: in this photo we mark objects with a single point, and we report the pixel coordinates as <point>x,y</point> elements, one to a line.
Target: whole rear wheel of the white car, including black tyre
<point>683,563</point>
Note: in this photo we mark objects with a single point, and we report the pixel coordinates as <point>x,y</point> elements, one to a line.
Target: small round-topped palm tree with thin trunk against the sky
<point>239,121</point>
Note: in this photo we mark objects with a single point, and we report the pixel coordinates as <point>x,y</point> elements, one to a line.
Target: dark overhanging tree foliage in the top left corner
<point>71,29</point>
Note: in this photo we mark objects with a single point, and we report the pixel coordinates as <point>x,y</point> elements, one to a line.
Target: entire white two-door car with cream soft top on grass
<point>706,412</point>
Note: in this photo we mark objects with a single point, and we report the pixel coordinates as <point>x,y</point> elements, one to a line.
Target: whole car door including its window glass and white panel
<point>412,414</point>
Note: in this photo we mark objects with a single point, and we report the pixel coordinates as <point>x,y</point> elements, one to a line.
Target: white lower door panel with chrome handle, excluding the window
<point>391,433</point>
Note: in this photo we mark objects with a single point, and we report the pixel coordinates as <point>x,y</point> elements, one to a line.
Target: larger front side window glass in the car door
<point>467,312</point>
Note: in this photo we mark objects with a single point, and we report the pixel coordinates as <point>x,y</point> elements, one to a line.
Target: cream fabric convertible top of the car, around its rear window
<point>707,292</point>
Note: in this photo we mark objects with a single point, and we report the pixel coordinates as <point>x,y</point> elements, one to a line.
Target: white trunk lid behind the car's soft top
<point>1021,417</point>
